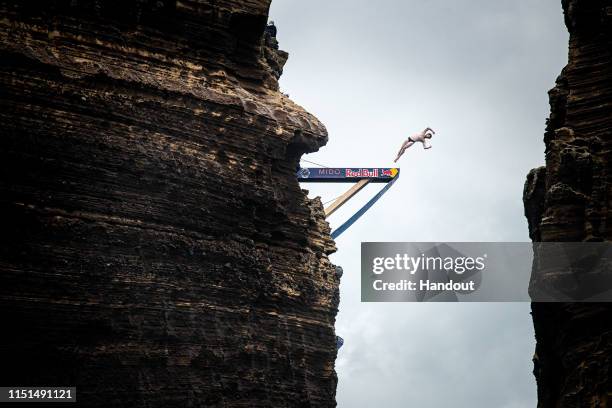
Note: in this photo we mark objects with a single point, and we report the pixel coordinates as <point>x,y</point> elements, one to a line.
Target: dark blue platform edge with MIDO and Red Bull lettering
<point>346,174</point>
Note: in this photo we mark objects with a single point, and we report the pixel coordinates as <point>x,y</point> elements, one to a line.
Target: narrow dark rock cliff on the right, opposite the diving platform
<point>568,200</point>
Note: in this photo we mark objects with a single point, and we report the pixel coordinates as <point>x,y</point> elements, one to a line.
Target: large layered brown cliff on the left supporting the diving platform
<point>157,249</point>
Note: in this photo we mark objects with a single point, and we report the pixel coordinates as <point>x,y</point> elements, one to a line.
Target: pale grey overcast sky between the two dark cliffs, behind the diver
<point>478,72</point>
